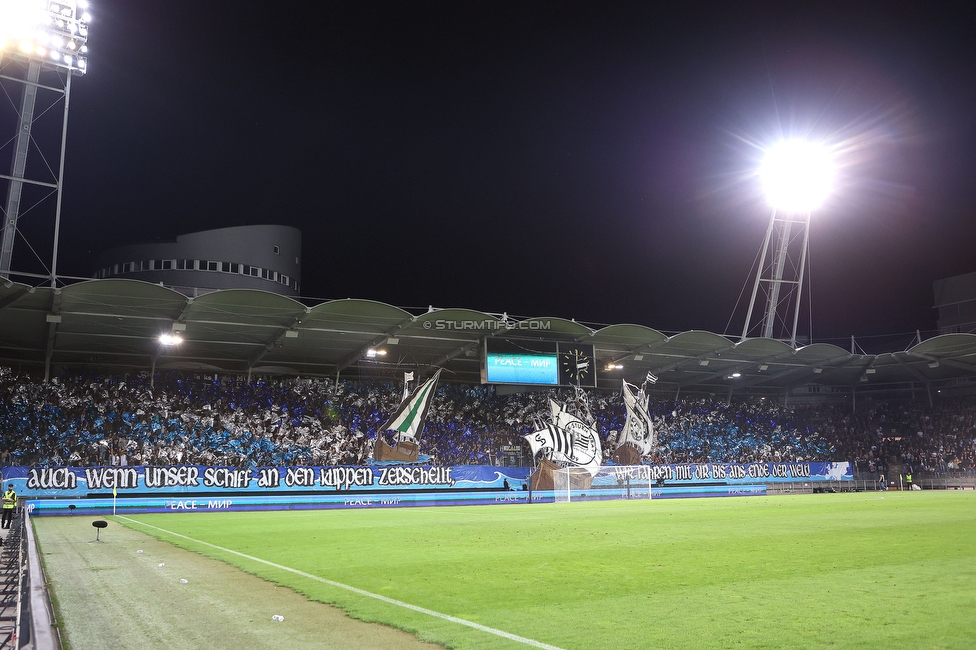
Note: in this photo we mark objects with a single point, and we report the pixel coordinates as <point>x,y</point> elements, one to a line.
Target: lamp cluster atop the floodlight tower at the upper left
<point>54,32</point>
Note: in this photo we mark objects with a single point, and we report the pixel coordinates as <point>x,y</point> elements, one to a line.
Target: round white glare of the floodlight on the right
<point>797,175</point>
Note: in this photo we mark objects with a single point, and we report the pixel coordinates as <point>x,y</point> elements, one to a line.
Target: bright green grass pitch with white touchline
<point>865,570</point>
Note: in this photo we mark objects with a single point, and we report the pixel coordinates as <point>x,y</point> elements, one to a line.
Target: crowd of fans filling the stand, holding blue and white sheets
<point>91,419</point>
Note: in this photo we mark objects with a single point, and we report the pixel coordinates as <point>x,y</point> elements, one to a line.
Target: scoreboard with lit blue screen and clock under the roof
<point>538,363</point>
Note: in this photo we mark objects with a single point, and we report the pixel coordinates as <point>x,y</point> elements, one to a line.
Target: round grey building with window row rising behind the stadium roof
<point>244,257</point>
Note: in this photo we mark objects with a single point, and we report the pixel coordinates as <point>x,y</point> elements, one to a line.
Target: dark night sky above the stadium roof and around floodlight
<point>591,161</point>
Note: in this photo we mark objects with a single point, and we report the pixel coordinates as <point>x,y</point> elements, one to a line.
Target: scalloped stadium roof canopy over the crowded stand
<point>115,325</point>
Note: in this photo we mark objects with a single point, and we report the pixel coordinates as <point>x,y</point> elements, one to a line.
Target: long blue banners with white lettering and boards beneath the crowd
<point>190,488</point>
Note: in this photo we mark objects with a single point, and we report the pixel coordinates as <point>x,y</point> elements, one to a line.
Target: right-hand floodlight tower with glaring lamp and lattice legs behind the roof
<point>796,177</point>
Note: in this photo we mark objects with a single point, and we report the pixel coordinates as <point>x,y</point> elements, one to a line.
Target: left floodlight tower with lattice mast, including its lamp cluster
<point>43,43</point>
